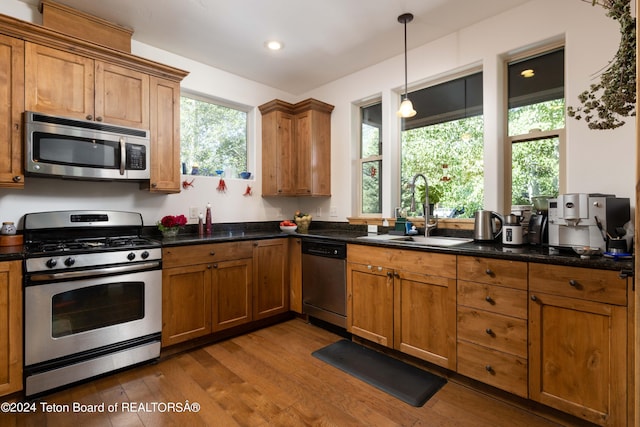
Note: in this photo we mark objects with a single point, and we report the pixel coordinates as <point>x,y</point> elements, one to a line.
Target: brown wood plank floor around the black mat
<point>264,378</point>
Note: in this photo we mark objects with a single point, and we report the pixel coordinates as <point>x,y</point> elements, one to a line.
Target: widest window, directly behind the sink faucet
<point>444,142</point>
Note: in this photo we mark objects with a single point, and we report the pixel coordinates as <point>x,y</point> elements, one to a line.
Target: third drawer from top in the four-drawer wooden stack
<point>495,331</point>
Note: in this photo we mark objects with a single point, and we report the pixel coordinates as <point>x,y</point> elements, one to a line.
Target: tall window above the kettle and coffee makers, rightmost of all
<point>536,125</point>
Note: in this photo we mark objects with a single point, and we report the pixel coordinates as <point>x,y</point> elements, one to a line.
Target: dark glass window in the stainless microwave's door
<point>76,151</point>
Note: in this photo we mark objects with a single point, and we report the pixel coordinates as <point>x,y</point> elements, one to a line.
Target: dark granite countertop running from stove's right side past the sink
<point>352,234</point>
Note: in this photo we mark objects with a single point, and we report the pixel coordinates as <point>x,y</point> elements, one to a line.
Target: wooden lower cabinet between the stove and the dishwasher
<point>212,287</point>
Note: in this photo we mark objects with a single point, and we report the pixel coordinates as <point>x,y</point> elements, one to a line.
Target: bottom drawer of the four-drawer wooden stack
<point>501,370</point>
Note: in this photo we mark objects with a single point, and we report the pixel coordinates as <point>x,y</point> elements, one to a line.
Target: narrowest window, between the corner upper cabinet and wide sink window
<point>371,159</point>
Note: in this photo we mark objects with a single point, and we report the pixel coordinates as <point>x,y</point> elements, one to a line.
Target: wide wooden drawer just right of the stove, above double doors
<point>199,254</point>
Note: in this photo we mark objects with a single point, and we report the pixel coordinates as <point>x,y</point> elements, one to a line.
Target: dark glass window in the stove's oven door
<point>95,307</point>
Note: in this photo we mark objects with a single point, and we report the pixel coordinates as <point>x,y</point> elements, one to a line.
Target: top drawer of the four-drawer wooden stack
<point>493,271</point>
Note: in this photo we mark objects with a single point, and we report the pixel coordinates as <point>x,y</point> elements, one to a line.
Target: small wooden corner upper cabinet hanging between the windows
<point>296,148</point>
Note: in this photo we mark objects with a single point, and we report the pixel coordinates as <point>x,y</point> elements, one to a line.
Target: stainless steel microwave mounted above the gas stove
<point>80,149</point>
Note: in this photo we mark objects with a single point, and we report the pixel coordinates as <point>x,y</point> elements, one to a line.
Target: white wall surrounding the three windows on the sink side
<point>597,161</point>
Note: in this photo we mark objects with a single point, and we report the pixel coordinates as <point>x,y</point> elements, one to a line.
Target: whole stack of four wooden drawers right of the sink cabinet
<point>492,322</point>
